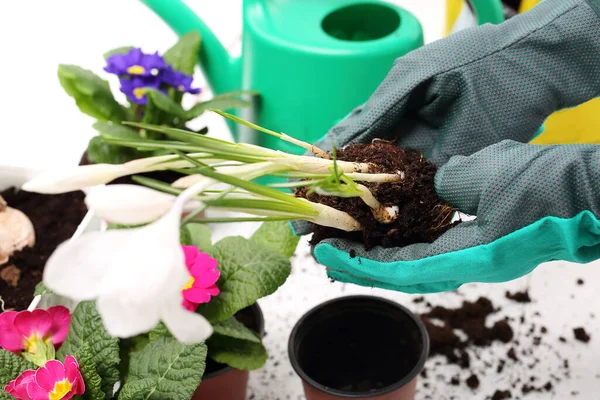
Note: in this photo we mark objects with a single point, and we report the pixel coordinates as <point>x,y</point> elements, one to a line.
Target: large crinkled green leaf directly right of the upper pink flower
<point>249,272</point>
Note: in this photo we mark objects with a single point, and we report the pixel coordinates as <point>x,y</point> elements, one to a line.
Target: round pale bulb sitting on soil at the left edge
<point>16,231</point>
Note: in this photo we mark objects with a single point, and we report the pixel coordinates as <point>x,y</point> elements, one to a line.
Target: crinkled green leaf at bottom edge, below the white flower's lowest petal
<point>165,370</point>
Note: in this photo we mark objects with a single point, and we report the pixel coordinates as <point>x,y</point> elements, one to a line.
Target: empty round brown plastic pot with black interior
<point>359,347</point>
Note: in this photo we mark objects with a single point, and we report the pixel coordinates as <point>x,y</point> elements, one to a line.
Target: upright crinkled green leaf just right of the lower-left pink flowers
<point>86,327</point>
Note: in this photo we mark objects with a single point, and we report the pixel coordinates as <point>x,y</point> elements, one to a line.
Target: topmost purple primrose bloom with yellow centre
<point>135,63</point>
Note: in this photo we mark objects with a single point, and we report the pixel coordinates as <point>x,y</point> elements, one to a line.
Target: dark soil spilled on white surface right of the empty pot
<point>463,338</point>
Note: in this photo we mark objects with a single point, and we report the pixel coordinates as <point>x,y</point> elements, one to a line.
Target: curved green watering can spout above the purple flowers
<point>222,71</point>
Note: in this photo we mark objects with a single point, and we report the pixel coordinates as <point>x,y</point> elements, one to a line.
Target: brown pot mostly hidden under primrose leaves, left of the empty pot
<point>221,381</point>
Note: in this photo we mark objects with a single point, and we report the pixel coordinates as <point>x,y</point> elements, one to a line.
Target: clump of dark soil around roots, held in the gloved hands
<point>423,216</point>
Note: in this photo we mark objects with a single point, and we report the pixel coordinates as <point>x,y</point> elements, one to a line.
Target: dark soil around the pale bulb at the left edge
<point>55,219</point>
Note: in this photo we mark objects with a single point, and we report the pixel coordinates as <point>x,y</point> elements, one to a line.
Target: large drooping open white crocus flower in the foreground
<point>135,275</point>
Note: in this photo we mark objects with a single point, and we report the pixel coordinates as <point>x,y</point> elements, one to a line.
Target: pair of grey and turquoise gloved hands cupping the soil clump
<point>464,96</point>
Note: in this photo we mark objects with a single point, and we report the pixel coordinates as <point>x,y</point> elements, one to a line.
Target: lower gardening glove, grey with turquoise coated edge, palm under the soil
<point>533,204</point>
